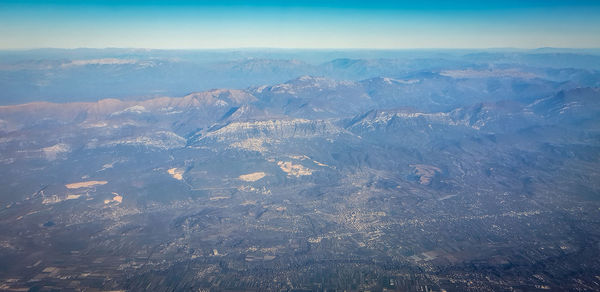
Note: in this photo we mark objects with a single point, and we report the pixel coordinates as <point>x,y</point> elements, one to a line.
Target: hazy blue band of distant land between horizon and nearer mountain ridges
<point>89,74</point>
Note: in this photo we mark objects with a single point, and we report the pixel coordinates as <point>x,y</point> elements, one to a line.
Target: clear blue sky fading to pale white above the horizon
<point>321,24</point>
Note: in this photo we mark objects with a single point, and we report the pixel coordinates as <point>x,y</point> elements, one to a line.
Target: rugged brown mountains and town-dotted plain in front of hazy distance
<point>460,179</point>
